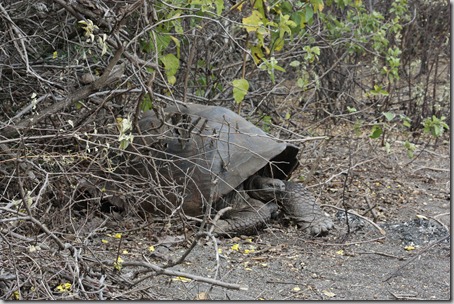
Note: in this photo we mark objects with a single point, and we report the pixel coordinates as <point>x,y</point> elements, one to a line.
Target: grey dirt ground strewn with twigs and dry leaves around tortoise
<point>396,245</point>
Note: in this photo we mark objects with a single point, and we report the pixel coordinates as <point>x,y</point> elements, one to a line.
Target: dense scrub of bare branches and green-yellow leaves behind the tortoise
<point>75,76</point>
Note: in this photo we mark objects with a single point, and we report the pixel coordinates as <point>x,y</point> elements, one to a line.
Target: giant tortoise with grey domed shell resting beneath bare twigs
<point>200,156</point>
